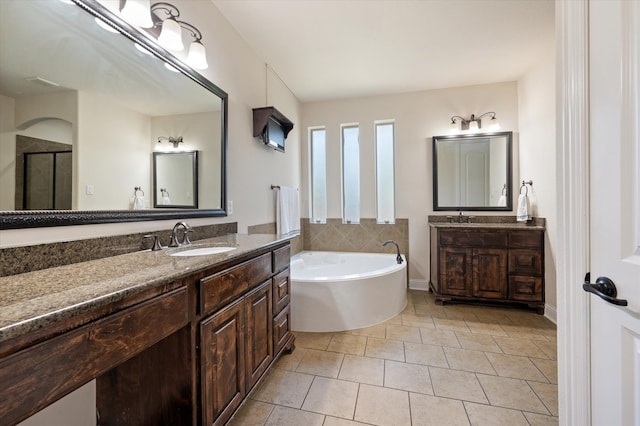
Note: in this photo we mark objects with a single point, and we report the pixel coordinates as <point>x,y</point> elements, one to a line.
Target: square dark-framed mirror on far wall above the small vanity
<point>473,172</point>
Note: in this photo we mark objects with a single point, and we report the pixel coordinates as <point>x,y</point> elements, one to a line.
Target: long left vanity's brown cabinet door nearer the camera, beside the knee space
<point>223,360</point>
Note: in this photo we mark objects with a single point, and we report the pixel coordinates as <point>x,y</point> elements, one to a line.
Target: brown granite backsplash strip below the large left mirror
<point>18,260</point>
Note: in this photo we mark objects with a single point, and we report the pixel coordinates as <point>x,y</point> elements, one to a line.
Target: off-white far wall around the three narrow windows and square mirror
<point>418,116</point>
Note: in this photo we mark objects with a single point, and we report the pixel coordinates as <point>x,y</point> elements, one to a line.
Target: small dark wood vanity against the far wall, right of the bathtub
<point>491,261</point>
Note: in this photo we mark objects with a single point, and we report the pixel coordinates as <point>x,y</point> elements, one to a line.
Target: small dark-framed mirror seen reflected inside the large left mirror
<point>175,179</point>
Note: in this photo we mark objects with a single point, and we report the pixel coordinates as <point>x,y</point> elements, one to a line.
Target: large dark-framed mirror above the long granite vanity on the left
<point>107,98</point>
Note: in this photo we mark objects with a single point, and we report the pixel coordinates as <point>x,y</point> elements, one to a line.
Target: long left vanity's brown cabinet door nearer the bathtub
<point>259,332</point>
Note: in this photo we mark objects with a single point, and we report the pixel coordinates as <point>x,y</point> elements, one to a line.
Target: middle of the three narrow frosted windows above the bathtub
<point>350,174</point>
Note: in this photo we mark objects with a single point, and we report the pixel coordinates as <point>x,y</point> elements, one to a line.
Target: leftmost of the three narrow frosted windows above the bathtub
<point>318,161</point>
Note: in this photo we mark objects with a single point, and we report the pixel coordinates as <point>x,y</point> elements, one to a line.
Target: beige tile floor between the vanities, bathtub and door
<point>430,365</point>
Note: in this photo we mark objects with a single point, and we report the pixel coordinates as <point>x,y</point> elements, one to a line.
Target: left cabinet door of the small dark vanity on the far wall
<point>455,270</point>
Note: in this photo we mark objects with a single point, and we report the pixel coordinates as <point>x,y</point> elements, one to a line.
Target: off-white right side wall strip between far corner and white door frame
<point>536,100</point>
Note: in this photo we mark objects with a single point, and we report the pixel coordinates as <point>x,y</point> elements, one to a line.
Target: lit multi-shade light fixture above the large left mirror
<point>161,20</point>
